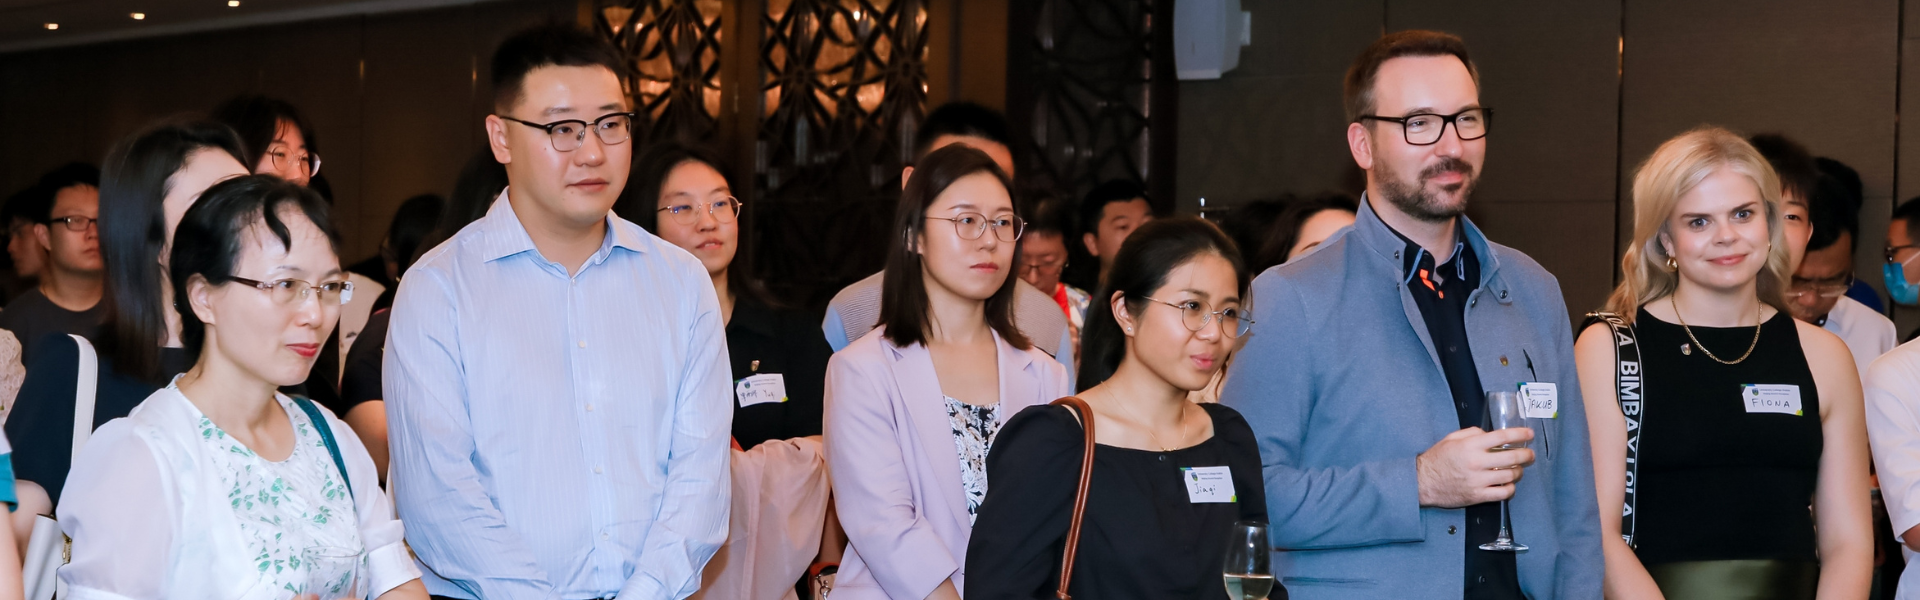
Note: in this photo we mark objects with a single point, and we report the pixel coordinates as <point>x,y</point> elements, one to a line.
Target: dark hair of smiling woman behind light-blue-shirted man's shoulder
<point>640,203</point>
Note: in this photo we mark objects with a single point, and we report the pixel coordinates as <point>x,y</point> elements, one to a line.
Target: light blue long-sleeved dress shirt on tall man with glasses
<point>560,436</point>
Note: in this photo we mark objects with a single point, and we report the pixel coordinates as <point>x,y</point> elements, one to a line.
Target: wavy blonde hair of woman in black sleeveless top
<point>1669,174</point>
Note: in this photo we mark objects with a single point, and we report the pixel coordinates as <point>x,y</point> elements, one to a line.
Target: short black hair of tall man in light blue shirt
<point>556,45</point>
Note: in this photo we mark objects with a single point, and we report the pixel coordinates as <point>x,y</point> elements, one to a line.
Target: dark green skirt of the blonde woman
<point>1739,580</point>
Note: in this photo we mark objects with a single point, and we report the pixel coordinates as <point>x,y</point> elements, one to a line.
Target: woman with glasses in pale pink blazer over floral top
<point>913,407</point>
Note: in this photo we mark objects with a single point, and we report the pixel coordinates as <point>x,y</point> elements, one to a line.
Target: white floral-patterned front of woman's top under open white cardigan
<point>289,507</point>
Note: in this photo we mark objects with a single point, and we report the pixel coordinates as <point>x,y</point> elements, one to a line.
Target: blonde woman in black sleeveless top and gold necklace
<point>1737,416</point>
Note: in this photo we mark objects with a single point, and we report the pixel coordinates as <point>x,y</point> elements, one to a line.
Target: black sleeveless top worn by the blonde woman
<point>1719,482</point>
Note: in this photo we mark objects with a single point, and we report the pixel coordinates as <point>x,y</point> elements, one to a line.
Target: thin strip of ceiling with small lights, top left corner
<point>89,22</point>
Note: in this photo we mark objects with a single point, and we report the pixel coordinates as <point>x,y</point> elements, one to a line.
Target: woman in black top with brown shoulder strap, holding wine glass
<point>1161,330</point>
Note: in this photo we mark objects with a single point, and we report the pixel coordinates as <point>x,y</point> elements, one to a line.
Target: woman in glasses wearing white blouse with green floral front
<point>218,486</point>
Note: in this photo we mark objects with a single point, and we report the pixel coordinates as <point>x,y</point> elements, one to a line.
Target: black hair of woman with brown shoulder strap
<point>1140,270</point>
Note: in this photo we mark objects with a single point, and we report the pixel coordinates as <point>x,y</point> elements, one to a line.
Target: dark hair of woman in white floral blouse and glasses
<point>208,239</point>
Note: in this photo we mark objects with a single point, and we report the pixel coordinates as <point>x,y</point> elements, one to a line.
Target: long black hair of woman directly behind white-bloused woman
<point>133,232</point>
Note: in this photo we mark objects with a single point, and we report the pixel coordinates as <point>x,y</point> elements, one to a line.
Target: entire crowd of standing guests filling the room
<point>562,382</point>
